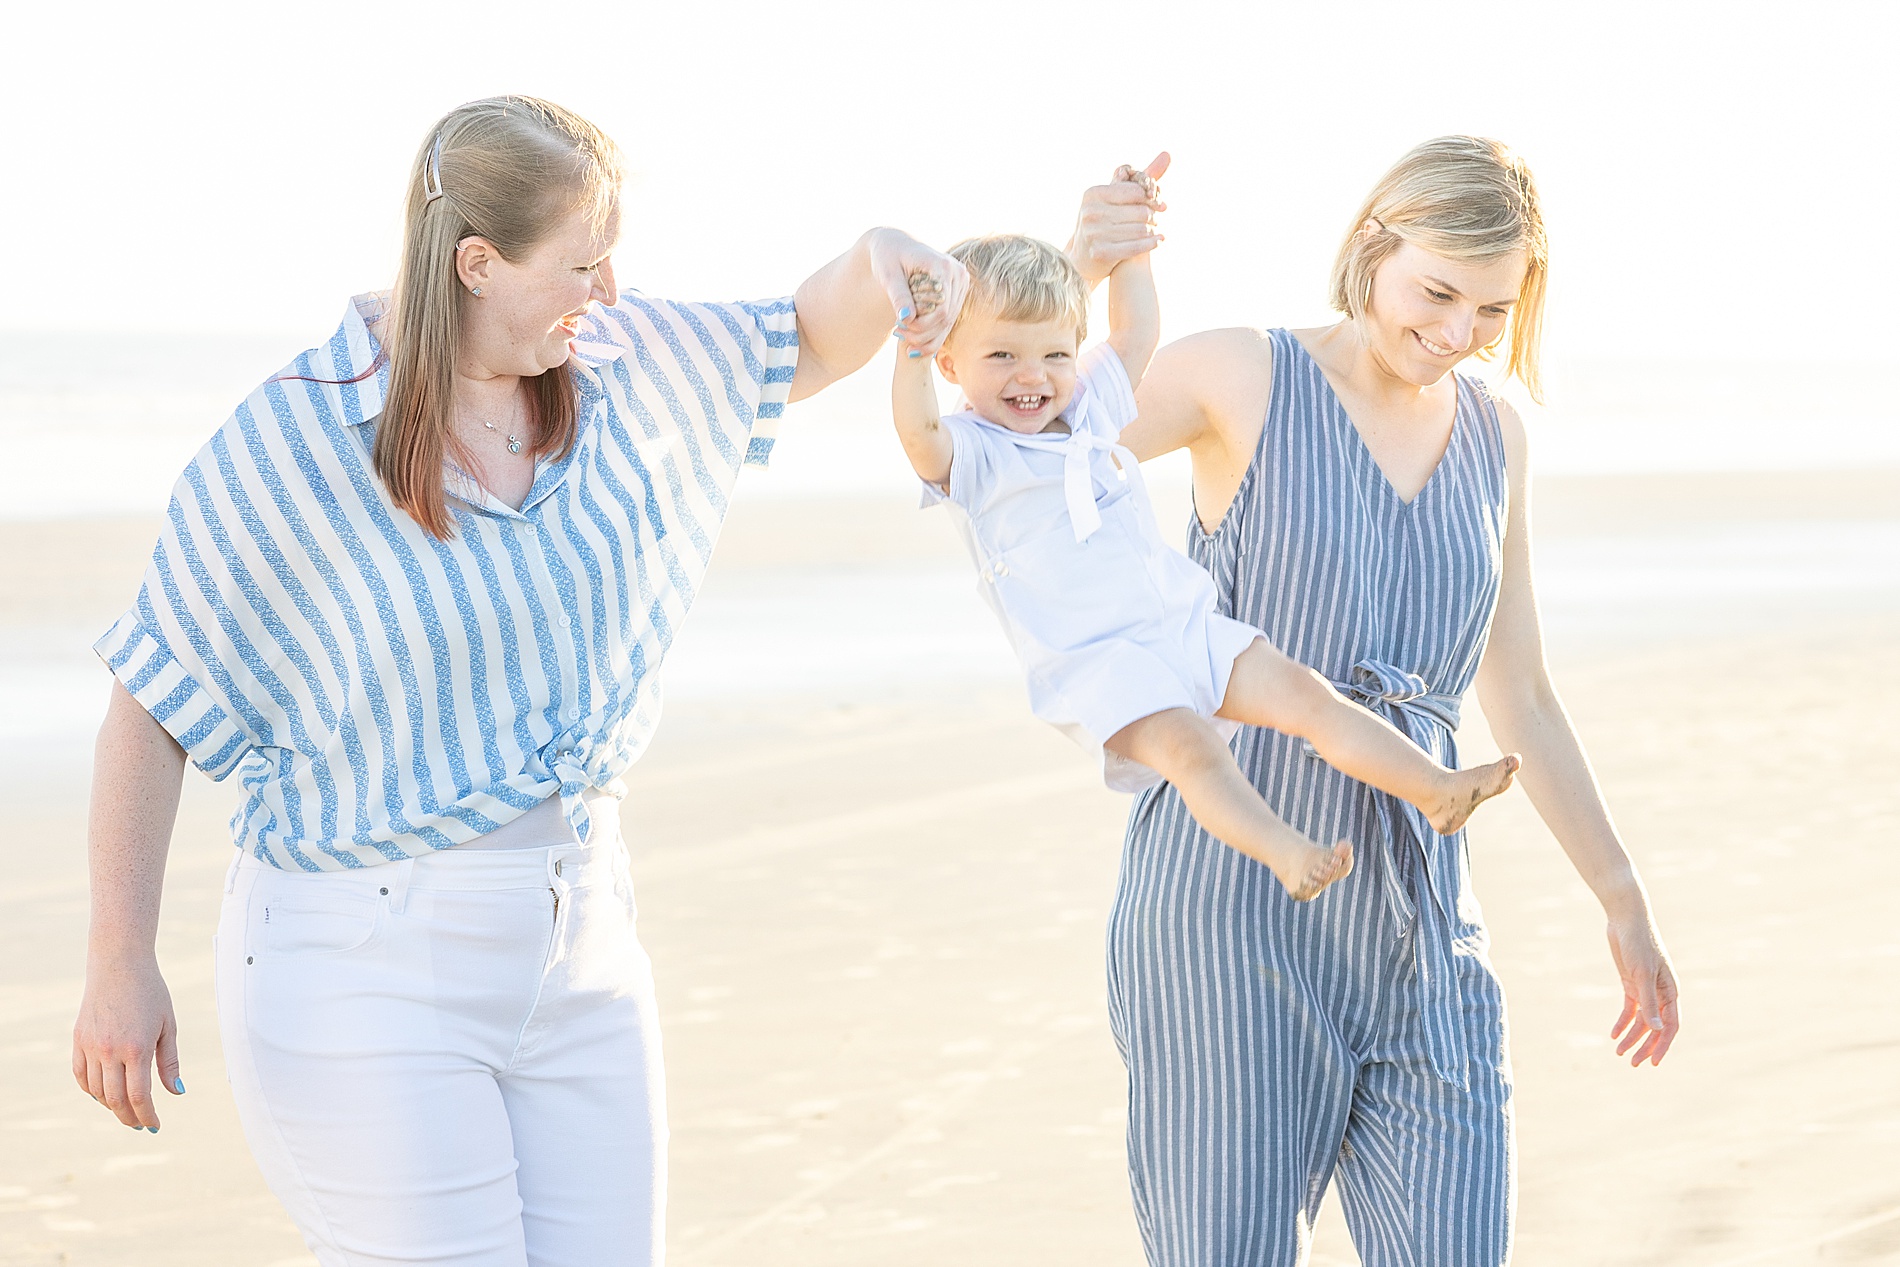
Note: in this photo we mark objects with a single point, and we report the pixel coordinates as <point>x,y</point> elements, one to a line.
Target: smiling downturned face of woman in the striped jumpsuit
<point>1432,312</point>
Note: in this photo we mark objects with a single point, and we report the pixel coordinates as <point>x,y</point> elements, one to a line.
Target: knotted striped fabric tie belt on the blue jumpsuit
<point>1409,704</point>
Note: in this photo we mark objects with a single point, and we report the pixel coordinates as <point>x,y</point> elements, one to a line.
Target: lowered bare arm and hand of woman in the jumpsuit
<point>1529,717</point>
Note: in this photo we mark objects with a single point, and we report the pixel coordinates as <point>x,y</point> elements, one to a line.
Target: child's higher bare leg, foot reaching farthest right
<point>1278,692</point>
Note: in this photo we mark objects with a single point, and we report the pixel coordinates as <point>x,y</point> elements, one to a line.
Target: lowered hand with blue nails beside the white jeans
<point>126,1023</point>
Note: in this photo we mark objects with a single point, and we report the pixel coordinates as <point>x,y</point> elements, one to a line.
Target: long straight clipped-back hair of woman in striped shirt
<point>508,170</point>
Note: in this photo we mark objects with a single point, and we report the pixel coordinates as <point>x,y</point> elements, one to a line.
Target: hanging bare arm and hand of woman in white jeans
<point>126,1019</point>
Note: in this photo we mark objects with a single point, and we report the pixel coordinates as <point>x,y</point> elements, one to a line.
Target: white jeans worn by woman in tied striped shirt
<point>451,1061</point>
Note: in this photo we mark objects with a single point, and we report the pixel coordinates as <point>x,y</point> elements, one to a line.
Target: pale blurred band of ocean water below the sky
<point>102,425</point>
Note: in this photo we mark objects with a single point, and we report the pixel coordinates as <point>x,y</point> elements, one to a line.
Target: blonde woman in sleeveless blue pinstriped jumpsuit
<point>1365,506</point>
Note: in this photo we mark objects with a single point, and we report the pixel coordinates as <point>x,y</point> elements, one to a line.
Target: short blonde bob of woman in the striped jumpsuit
<point>1466,199</point>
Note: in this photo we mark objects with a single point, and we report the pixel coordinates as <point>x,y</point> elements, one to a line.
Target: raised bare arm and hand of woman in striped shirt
<point>846,311</point>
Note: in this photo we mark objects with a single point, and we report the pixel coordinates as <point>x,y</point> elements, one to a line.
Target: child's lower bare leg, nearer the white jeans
<point>1185,749</point>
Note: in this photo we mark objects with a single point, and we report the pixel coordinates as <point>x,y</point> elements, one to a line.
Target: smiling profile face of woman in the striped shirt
<point>531,309</point>
